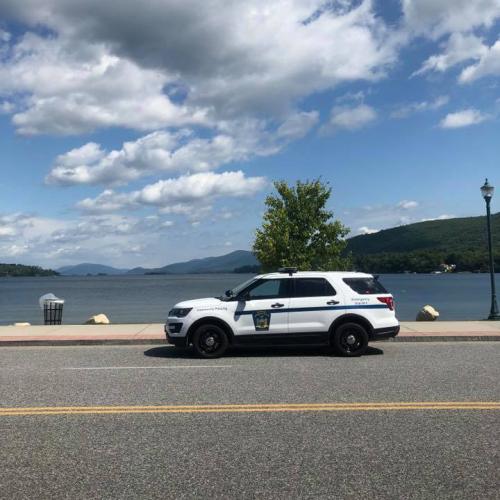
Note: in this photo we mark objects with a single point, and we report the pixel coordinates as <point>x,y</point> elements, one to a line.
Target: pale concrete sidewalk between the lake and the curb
<point>411,331</point>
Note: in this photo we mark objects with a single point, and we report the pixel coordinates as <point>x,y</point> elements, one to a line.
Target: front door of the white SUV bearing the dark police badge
<point>262,308</point>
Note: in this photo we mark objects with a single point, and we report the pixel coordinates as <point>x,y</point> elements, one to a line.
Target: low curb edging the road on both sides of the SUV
<point>94,342</point>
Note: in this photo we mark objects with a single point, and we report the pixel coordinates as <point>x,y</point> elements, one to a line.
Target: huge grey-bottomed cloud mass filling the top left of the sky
<point>194,62</point>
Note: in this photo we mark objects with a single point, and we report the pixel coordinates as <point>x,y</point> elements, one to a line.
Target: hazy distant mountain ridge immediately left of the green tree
<point>223,264</point>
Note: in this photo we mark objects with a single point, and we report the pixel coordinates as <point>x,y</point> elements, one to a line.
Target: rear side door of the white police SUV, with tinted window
<point>314,306</point>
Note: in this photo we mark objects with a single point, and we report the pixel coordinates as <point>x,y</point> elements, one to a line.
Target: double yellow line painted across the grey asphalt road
<point>252,408</point>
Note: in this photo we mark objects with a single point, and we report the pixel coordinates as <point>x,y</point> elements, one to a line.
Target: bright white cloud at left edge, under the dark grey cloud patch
<point>68,89</point>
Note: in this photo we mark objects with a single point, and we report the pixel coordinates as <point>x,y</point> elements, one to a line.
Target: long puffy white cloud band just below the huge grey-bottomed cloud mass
<point>182,151</point>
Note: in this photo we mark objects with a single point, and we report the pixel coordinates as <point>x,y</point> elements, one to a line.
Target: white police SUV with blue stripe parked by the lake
<point>343,310</point>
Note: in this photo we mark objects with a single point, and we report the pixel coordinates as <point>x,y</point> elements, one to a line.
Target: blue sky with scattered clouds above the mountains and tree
<point>143,138</point>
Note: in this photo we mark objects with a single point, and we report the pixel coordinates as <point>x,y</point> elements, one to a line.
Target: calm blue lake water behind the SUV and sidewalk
<point>147,299</point>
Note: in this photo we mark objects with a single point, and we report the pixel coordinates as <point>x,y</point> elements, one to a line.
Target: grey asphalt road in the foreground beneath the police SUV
<point>380,453</point>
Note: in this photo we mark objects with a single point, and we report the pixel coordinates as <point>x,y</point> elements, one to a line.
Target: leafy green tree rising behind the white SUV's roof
<point>298,230</point>
